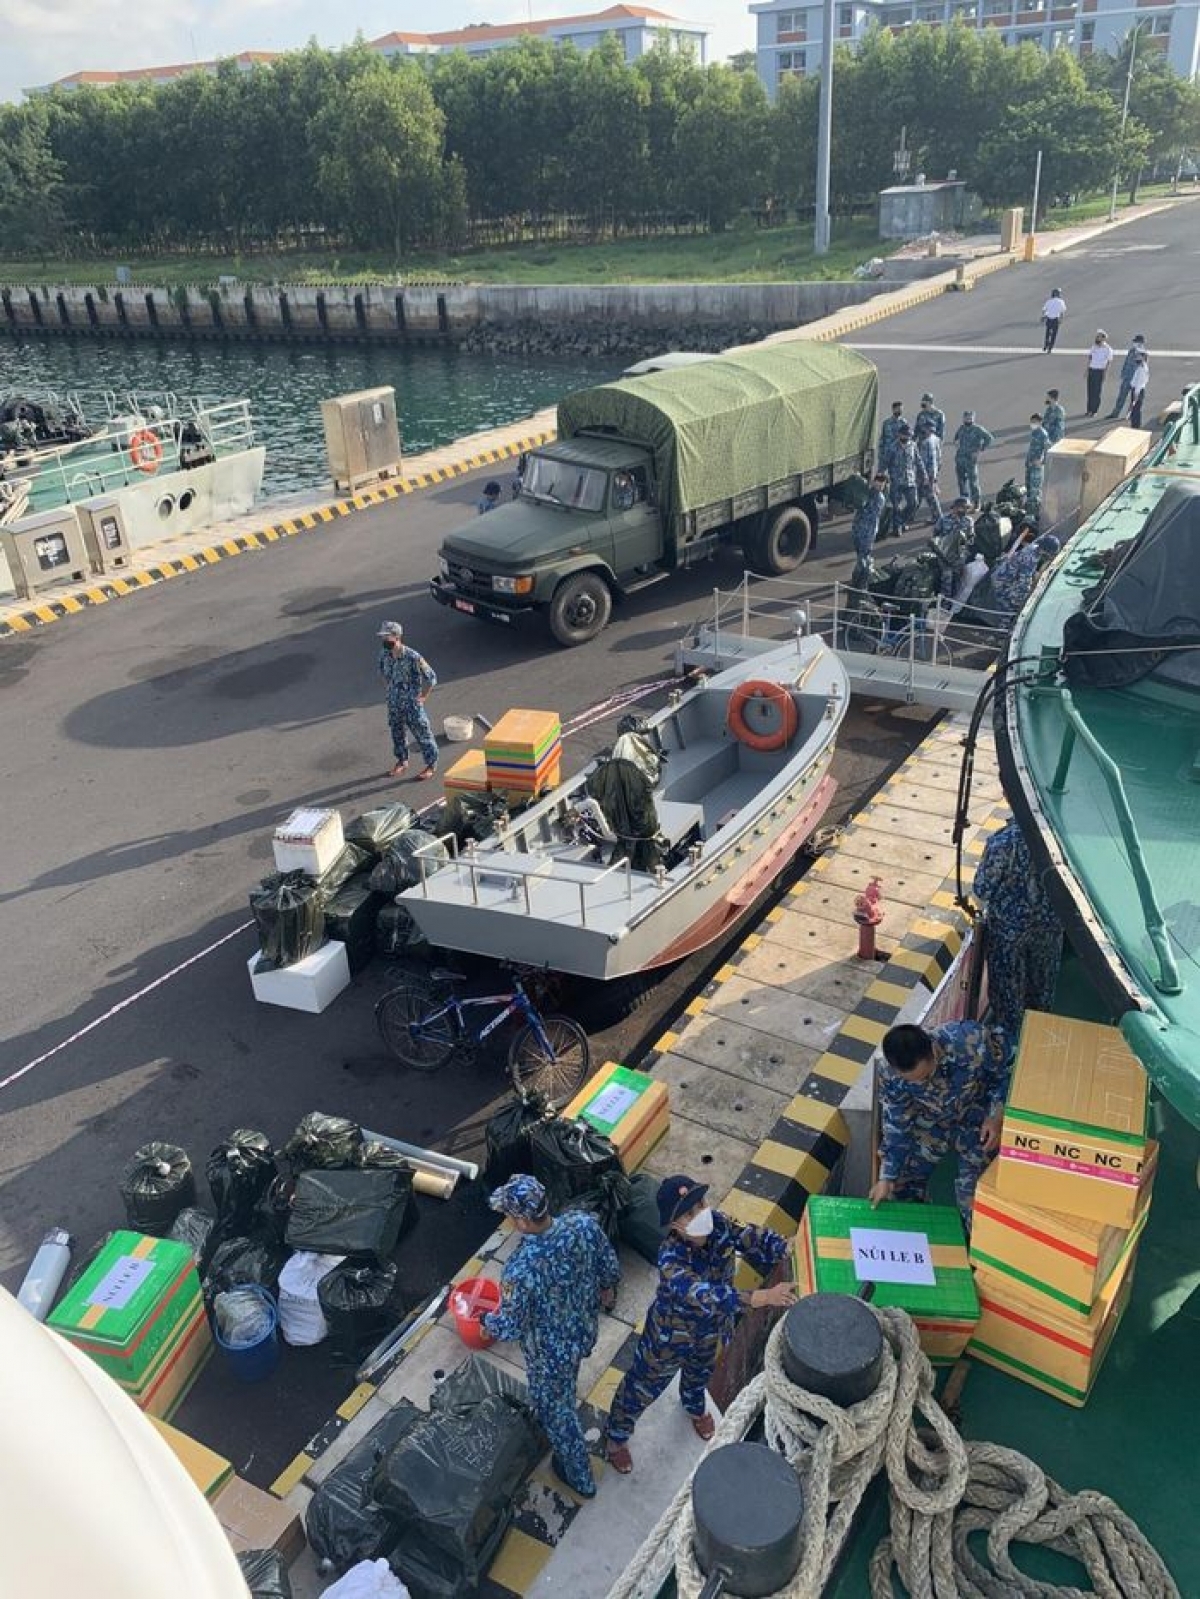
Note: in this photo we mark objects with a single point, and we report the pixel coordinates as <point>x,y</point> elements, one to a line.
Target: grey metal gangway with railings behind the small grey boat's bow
<point>916,660</point>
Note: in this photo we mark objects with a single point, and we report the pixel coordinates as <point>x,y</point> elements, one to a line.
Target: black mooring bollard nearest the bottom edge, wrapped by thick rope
<point>750,1509</point>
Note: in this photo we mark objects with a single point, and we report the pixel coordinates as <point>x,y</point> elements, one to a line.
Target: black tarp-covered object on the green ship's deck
<point>1145,615</point>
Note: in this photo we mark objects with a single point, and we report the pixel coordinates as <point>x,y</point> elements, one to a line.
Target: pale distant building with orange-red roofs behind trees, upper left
<point>638,28</point>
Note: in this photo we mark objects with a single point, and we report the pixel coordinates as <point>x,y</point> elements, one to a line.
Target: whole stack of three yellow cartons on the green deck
<point>1060,1213</point>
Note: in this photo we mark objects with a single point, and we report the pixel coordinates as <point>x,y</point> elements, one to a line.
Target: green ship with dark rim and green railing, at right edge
<point>1100,752</point>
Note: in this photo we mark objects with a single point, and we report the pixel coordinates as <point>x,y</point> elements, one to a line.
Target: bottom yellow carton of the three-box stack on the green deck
<point>1047,1346</point>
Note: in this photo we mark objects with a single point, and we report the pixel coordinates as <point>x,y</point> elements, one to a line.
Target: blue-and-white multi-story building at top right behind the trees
<point>791,34</point>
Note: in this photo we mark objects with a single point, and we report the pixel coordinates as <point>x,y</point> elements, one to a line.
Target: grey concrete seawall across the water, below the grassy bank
<point>367,314</point>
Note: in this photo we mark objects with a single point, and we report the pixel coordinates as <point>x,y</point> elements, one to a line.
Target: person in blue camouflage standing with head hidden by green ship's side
<point>1025,936</point>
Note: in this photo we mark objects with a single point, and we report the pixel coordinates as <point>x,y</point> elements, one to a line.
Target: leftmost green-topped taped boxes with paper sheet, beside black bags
<point>138,1314</point>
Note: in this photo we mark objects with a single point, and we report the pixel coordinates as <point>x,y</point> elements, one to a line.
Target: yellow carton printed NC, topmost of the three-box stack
<point>1076,1126</point>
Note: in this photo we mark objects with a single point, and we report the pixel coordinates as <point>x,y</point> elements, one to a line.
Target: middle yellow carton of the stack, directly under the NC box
<point>1065,1259</point>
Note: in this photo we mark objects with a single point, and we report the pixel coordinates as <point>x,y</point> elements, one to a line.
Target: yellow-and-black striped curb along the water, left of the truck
<point>49,612</point>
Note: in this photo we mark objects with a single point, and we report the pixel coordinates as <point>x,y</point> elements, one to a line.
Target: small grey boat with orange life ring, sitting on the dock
<point>654,851</point>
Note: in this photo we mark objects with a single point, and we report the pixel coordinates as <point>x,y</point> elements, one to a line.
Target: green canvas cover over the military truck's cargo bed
<point>737,423</point>
